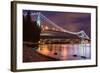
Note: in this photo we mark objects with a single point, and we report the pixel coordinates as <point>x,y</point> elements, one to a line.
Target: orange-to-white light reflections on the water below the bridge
<point>65,51</point>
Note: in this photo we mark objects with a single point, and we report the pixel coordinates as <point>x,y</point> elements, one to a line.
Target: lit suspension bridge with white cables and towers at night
<point>47,25</point>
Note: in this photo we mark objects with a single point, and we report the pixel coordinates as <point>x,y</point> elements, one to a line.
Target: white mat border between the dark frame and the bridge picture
<point>21,65</point>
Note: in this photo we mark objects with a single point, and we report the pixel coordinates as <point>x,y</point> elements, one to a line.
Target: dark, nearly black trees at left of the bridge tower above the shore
<point>31,31</point>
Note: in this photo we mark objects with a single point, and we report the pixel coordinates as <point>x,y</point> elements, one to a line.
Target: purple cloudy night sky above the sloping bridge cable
<point>70,21</point>
